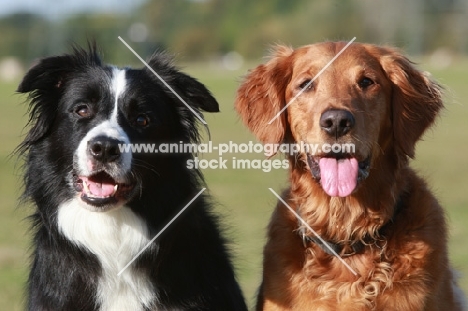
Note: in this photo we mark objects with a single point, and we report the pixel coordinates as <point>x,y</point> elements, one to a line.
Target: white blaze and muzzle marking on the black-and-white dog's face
<point>109,128</point>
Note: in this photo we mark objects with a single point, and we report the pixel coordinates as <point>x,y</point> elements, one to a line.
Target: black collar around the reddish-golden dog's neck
<point>349,248</point>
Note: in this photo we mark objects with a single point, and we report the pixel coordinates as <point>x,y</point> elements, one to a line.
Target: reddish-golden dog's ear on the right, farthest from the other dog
<point>416,100</point>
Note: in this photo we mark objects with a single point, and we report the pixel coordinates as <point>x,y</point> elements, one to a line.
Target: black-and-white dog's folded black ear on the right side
<point>189,89</point>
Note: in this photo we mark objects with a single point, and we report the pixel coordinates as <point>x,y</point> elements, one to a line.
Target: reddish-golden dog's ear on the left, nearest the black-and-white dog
<point>261,97</point>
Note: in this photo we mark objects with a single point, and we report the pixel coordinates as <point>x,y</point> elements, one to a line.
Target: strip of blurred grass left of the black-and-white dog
<point>13,238</point>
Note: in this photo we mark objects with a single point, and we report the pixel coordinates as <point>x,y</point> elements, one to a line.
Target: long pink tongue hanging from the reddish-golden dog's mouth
<point>338,177</point>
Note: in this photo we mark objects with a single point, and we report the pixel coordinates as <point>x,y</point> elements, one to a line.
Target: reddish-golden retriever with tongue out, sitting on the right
<point>386,228</point>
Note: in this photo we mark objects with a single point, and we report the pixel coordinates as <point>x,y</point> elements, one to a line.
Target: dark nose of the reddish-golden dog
<point>337,122</point>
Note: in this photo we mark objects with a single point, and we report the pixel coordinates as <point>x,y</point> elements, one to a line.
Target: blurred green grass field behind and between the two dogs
<point>242,195</point>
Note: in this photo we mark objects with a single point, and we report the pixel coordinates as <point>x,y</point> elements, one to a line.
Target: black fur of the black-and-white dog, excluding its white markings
<point>188,264</point>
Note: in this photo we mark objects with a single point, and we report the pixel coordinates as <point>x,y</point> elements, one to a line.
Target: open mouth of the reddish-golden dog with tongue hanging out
<point>339,175</point>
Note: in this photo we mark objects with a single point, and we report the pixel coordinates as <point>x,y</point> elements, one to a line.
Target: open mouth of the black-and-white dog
<point>101,189</point>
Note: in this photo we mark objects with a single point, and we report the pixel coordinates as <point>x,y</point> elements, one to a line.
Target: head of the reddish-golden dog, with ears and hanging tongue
<point>370,102</point>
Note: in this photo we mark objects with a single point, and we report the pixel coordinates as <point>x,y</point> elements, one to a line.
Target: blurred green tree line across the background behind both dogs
<point>203,29</point>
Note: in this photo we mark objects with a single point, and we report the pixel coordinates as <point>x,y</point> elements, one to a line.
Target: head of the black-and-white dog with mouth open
<point>83,111</point>
